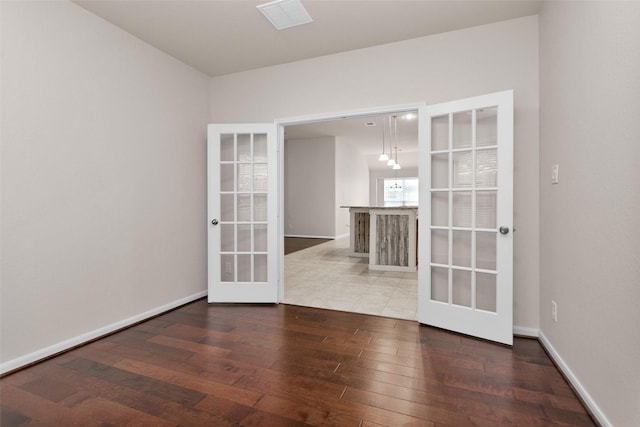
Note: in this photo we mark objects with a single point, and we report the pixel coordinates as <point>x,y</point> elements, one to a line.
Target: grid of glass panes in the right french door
<point>464,182</point>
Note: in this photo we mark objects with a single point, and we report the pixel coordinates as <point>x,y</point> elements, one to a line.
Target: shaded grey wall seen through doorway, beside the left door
<point>309,187</point>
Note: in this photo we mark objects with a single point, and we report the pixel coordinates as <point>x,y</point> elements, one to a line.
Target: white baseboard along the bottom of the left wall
<point>39,355</point>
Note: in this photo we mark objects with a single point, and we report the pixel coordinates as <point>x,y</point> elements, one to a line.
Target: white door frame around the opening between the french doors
<point>420,107</point>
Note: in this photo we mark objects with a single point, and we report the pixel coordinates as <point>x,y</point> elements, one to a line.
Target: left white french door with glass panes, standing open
<point>242,207</point>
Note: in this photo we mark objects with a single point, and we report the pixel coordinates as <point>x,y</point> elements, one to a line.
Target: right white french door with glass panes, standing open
<point>466,217</point>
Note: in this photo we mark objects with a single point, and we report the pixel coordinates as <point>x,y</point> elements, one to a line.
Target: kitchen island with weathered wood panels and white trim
<point>387,235</point>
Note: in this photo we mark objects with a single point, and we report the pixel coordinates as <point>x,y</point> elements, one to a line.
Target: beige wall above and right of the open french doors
<point>437,68</point>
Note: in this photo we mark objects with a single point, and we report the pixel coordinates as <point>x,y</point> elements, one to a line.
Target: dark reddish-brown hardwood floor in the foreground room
<point>283,365</point>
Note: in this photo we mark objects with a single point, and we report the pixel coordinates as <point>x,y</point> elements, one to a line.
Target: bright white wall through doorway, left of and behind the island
<point>352,183</point>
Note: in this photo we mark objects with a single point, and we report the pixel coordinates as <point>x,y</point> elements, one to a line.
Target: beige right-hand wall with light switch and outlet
<point>590,259</point>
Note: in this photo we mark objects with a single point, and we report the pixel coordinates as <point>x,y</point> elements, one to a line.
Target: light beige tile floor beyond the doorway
<point>325,276</point>
